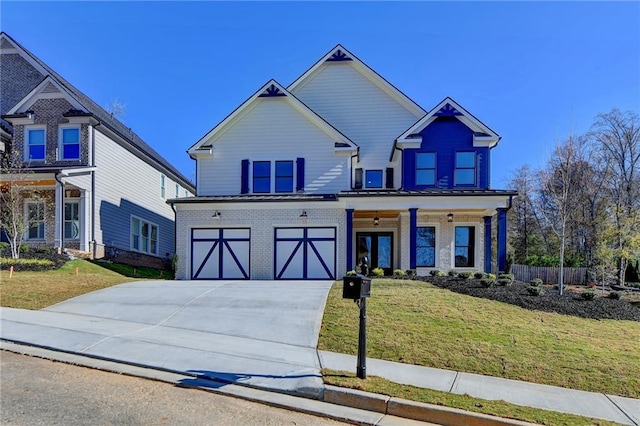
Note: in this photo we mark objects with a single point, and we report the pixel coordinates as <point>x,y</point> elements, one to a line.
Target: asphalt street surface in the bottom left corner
<point>41,392</point>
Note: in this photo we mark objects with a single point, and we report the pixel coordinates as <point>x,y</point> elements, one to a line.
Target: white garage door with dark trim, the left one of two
<point>218,254</point>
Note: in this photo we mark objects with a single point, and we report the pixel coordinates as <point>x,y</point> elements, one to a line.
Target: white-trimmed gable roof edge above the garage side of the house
<point>272,89</point>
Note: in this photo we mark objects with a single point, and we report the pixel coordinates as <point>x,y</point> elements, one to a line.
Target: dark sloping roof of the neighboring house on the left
<point>106,119</point>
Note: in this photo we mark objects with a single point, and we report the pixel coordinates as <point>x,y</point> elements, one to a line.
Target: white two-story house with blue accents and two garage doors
<point>311,180</point>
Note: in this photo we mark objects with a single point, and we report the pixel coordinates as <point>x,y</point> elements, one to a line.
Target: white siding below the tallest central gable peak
<point>358,108</point>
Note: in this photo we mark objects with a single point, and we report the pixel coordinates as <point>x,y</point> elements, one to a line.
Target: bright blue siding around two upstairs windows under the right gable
<point>446,136</point>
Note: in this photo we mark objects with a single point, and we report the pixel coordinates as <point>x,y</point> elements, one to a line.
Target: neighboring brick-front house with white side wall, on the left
<point>107,187</point>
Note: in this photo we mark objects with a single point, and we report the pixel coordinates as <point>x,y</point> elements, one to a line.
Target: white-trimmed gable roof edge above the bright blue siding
<point>482,134</point>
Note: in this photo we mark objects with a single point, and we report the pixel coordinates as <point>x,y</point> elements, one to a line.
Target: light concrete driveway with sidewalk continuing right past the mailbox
<point>261,334</point>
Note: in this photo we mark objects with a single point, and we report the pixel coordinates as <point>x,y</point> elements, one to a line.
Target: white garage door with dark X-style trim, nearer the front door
<point>305,253</point>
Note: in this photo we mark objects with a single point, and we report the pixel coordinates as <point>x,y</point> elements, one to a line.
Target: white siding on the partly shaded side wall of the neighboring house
<point>128,186</point>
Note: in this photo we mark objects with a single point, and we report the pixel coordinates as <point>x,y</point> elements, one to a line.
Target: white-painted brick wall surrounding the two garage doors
<point>262,223</point>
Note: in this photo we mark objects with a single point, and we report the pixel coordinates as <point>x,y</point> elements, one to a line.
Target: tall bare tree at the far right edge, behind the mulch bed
<point>617,136</point>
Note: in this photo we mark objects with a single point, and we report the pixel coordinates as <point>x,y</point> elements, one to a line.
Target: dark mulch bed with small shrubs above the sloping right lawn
<point>570,303</point>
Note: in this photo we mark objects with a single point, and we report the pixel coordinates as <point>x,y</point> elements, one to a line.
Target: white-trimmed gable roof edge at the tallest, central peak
<point>340,54</point>
